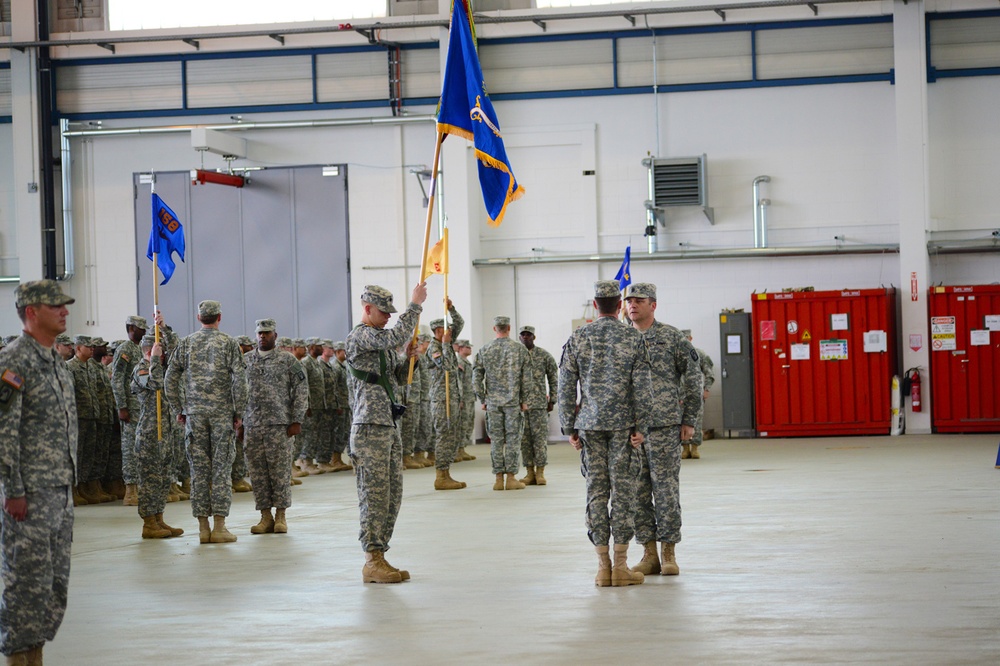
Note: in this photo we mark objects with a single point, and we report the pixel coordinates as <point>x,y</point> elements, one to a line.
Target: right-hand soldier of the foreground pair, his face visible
<point>674,409</point>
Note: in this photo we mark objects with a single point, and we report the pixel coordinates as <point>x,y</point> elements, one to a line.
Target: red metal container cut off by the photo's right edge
<point>965,358</point>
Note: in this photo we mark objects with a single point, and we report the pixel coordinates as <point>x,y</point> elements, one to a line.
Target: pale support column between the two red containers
<point>910,48</point>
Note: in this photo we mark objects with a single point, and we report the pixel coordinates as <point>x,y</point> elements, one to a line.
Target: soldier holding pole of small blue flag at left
<point>152,442</point>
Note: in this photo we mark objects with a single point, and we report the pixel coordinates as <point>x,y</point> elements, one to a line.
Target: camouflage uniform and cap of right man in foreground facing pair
<point>676,401</point>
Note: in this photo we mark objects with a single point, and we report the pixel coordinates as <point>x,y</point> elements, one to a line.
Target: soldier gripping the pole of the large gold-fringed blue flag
<point>374,375</point>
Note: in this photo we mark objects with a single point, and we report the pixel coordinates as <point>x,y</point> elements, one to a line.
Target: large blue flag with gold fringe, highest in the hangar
<point>466,110</point>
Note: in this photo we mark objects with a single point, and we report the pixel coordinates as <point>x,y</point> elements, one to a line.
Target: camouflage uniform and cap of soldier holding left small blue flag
<point>152,452</point>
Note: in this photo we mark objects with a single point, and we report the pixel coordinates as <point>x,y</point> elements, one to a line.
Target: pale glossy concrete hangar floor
<point>837,550</point>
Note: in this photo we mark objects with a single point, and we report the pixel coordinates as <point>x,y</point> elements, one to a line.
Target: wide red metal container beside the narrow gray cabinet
<point>823,362</point>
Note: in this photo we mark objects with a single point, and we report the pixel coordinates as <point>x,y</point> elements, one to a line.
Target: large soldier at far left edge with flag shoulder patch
<point>37,473</point>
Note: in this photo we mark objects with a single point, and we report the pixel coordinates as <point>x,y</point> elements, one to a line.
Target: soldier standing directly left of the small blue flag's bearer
<point>126,357</point>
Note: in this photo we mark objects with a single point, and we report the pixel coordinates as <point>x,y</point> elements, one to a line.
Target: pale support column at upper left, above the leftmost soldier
<point>27,161</point>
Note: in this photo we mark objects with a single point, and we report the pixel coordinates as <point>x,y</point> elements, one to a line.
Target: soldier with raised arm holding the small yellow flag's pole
<point>443,366</point>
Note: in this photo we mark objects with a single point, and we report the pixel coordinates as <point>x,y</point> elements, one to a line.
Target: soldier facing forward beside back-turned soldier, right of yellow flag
<point>541,400</point>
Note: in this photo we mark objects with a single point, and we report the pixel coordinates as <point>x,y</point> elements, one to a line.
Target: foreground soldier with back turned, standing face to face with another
<point>609,363</point>
